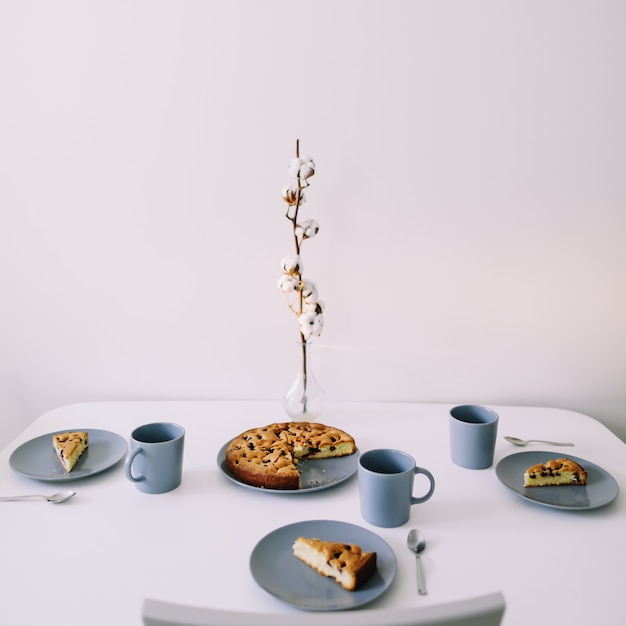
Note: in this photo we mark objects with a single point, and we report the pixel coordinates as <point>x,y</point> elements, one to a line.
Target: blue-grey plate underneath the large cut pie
<point>315,474</point>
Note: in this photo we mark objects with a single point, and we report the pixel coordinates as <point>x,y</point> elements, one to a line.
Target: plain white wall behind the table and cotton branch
<point>470,188</point>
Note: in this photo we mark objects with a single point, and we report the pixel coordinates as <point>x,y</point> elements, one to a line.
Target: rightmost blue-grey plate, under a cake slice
<point>601,487</point>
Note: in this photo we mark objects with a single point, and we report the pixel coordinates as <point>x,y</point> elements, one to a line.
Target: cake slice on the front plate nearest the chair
<point>345,562</point>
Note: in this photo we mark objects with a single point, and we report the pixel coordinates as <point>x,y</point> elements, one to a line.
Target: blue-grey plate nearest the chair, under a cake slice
<point>281,574</point>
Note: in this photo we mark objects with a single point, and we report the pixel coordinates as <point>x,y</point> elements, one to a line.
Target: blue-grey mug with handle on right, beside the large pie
<point>386,479</point>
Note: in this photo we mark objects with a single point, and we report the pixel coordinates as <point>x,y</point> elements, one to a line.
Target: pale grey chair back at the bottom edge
<point>486,610</point>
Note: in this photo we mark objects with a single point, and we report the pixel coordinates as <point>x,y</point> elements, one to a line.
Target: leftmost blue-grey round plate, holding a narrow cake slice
<point>37,459</point>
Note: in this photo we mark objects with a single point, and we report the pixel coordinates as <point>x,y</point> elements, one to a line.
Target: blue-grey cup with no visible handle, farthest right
<point>473,431</point>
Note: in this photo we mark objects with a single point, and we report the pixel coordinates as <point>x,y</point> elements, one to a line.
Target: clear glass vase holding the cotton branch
<point>305,399</point>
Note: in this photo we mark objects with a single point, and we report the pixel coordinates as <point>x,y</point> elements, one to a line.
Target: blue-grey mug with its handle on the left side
<point>155,461</point>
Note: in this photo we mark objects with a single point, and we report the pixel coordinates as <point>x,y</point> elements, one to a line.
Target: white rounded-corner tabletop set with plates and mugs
<point>111,546</point>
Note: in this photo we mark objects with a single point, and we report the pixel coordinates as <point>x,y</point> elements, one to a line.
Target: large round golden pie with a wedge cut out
<point>267,457</point>
